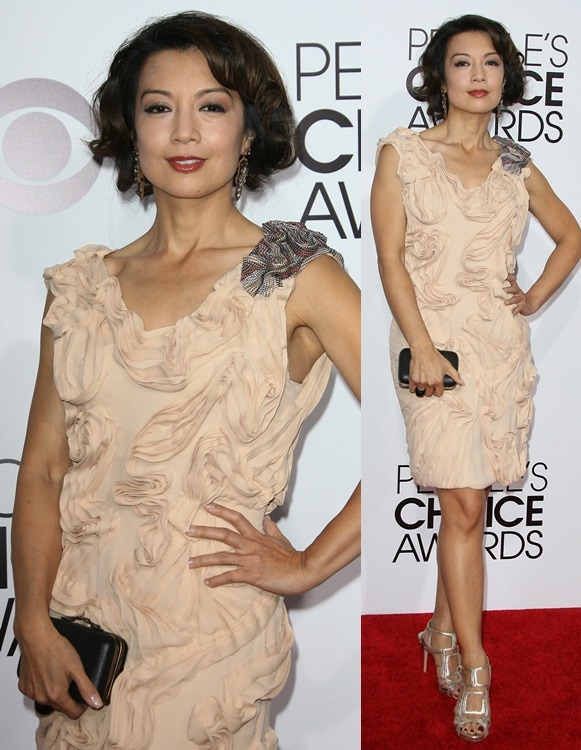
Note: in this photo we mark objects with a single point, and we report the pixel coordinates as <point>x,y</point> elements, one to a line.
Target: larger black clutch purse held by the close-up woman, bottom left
<point>102,654</point>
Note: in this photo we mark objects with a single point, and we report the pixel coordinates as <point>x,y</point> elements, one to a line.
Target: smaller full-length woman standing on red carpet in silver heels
<point>448,208</point>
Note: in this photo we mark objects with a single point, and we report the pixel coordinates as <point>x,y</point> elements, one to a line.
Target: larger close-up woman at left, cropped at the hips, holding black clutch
<point>175,374</point>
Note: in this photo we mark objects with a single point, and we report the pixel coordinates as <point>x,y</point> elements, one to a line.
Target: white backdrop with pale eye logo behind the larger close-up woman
<point>52,201</point>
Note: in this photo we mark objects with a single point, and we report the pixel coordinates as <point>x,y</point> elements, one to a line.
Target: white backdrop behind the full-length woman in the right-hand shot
<point>532,529</point>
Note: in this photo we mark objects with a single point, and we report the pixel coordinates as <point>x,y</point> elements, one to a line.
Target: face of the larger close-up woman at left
<point>189,128</point>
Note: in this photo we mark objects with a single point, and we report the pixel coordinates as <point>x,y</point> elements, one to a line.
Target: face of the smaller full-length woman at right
<point>474,73</point>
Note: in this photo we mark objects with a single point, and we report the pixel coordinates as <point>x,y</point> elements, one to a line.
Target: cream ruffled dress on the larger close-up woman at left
<point>159,423</point>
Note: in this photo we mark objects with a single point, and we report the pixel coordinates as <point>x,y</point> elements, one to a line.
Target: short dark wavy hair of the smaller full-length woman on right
<point>434,56</point>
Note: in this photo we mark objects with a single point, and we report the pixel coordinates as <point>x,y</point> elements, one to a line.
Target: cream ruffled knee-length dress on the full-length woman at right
<point>459,249</point>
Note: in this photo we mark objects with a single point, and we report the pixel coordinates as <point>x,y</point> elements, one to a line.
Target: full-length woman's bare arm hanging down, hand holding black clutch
<point>388,219</point>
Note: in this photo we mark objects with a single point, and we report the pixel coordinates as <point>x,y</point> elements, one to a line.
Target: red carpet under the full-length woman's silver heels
<point>536,684</point>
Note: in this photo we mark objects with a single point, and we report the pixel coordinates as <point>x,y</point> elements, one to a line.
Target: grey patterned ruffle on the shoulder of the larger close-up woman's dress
<point>285,249</point>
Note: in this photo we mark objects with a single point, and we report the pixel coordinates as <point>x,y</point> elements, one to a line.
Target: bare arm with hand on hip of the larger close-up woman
<point>326,303</point>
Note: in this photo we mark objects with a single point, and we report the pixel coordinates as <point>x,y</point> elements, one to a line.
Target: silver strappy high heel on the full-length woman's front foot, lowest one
<point>473,684</point>
